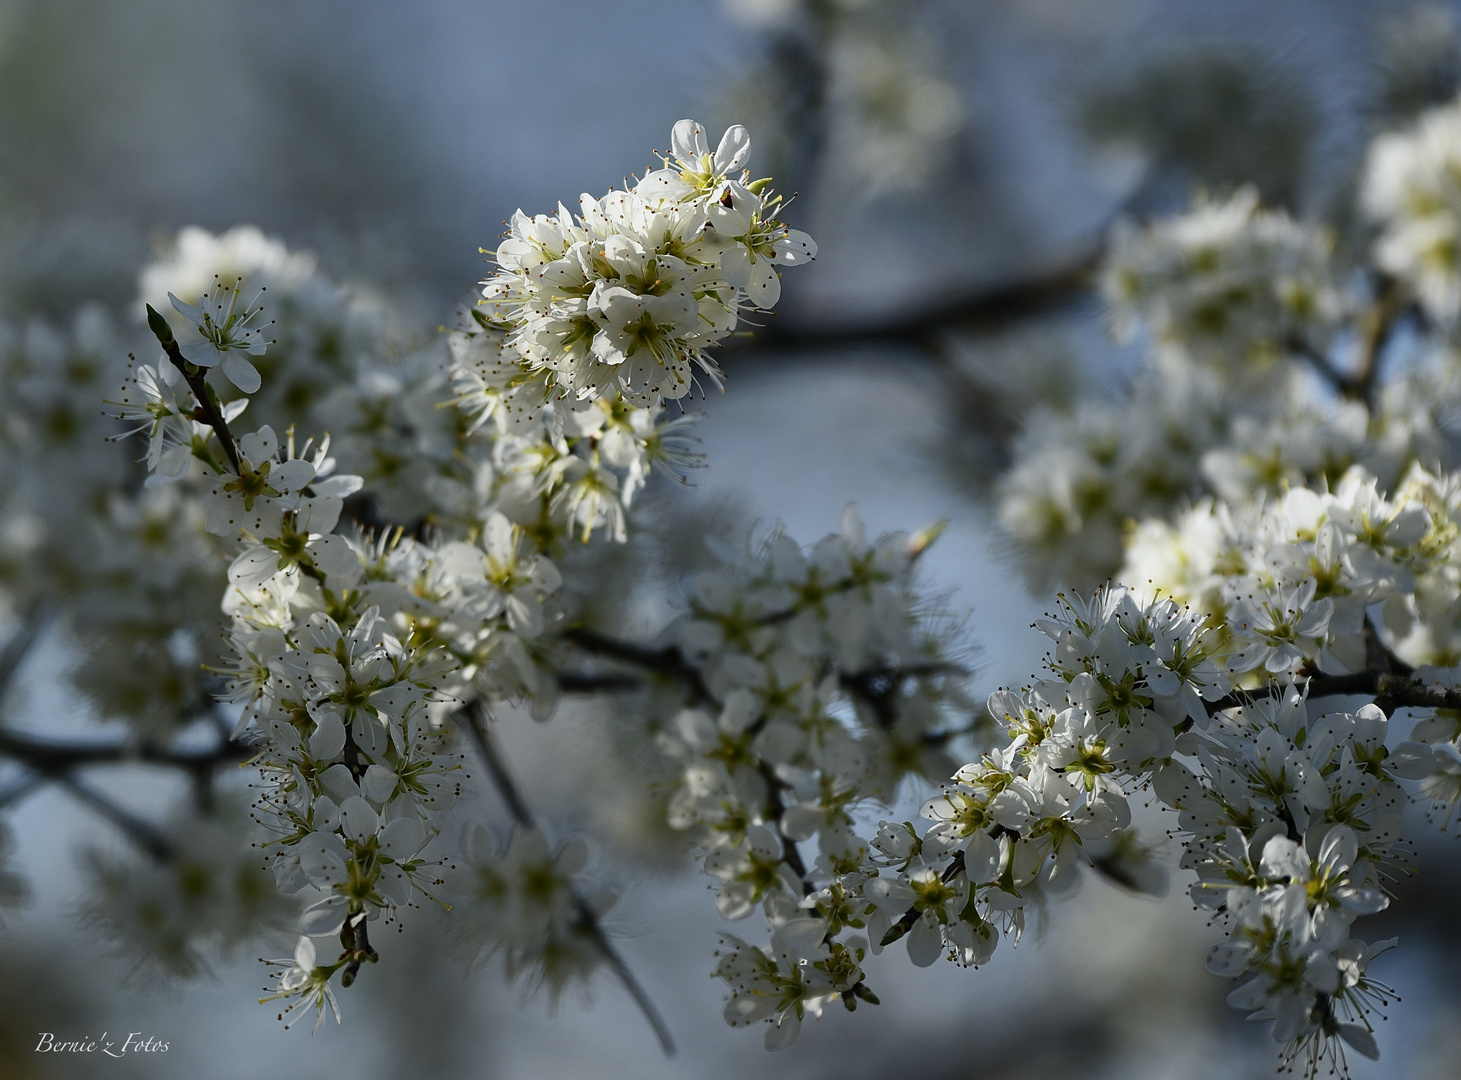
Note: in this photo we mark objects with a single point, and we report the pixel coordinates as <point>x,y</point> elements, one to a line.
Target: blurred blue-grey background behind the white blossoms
<point>959,163</point>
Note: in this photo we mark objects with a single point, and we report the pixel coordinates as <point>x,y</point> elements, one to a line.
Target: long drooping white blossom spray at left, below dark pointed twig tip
<point>346,657</point>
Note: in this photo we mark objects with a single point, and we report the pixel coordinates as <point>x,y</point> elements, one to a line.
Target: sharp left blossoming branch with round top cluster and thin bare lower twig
<point>351,655</point>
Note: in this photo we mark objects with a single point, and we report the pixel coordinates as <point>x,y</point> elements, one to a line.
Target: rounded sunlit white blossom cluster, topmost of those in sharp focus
<point>625,299</point>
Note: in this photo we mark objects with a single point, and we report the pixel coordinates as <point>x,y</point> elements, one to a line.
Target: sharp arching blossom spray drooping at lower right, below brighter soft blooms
<point>1289,816</point>
